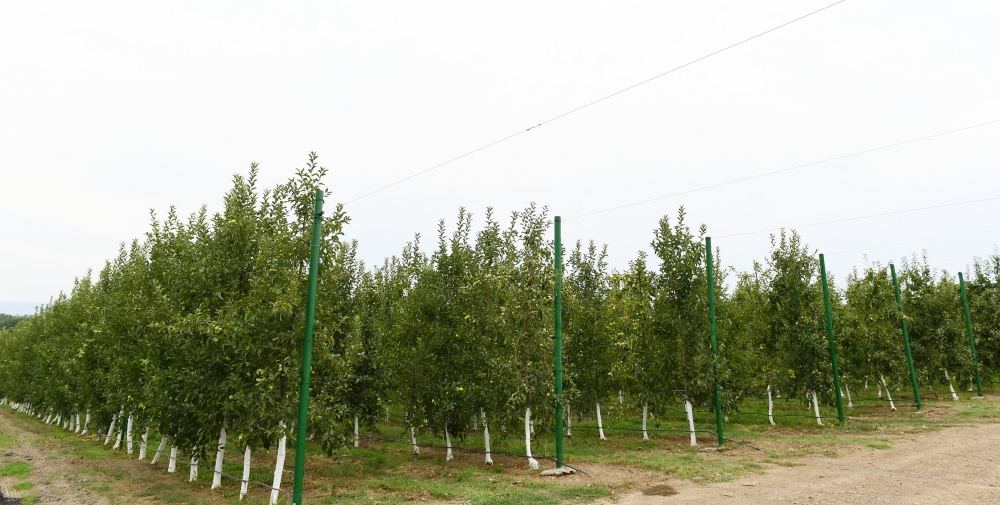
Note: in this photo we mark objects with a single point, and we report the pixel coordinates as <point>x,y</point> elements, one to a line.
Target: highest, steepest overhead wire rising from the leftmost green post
<point>590,103</point>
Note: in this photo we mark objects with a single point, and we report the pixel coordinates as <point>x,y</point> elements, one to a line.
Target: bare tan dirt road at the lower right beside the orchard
<point>955,466</point>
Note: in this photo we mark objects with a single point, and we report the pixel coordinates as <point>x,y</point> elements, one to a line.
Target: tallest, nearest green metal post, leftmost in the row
<point>300,426</point>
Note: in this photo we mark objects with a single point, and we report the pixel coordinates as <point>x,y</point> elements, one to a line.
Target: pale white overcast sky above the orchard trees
<point>109,109</point>
